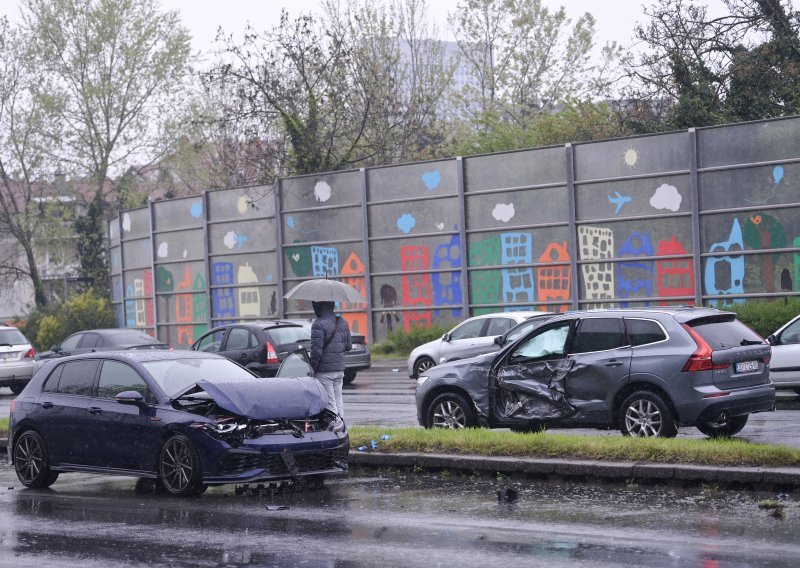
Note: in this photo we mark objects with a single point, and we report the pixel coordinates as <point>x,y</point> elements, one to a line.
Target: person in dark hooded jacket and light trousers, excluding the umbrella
<point>330,338</point>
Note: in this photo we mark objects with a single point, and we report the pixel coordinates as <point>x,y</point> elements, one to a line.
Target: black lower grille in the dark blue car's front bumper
<point>237,463</point>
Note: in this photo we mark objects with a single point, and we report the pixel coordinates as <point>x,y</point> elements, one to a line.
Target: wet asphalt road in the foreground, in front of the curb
<point>394,520</point>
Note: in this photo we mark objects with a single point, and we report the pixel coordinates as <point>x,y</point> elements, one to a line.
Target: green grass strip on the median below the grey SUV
<point>481,441</point>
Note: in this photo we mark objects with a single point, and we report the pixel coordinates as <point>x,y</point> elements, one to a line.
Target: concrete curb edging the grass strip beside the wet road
<point>785,479</point>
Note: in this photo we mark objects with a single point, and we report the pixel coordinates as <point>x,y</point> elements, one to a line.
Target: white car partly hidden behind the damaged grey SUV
<point>471,337</point>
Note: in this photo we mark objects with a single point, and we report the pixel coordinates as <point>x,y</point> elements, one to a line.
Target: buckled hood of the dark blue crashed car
<point>268,399</point>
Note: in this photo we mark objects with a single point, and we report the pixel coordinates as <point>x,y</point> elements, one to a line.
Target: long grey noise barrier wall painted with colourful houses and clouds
<point>434,242</point>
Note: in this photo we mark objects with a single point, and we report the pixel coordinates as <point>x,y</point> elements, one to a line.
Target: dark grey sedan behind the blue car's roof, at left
<point>112,339</point>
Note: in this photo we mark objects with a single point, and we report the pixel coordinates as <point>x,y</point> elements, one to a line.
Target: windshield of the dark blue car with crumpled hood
<point>176,375</point>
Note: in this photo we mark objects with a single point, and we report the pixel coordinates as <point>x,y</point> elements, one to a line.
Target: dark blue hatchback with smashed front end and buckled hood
<point>188,420</point>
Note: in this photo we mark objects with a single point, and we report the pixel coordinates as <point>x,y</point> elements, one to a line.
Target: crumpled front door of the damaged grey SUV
<point>534,391</point>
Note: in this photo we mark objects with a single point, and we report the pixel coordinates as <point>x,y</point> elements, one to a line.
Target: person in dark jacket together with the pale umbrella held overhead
<point>330,334</point>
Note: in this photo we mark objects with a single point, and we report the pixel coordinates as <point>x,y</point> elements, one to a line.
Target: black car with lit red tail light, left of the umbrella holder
<point>258,346</point>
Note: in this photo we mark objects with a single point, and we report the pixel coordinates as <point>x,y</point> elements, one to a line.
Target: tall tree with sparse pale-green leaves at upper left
<point>117,68</point>
